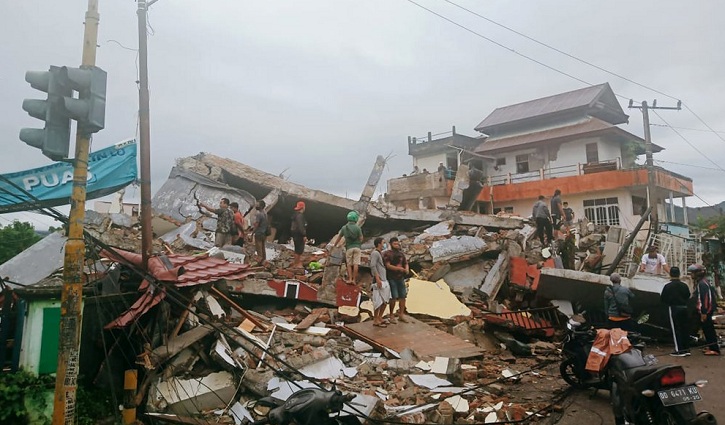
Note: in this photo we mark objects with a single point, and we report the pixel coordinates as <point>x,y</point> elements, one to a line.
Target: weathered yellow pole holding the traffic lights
<point>71,299</point>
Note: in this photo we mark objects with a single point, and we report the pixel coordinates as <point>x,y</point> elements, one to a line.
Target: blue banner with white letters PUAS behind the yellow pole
<point>109,170</point>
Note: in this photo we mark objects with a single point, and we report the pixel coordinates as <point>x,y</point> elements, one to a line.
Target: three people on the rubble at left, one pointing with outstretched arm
<point>232,228</point>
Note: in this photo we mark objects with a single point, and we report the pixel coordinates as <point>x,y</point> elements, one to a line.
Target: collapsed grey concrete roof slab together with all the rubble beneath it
<point>479,303</point>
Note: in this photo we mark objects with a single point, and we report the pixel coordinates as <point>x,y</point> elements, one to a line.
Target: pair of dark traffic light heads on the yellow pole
<point>60,107</point>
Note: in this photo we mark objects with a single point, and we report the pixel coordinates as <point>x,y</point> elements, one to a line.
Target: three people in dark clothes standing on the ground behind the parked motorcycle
<point>676,296</point>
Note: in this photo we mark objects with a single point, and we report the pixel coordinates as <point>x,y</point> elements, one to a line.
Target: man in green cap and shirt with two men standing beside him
<point>388,266</point>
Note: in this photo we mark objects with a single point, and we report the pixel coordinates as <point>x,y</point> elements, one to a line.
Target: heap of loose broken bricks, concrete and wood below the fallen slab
<point>225,347</point>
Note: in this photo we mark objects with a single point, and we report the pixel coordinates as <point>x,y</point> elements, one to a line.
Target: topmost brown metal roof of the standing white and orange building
<point>581,98</point>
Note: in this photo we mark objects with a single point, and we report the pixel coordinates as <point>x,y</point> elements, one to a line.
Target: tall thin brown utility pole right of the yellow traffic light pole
<point>144,131</point>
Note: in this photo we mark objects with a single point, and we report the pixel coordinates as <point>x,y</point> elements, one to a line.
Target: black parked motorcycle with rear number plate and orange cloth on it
<point>641,391</point>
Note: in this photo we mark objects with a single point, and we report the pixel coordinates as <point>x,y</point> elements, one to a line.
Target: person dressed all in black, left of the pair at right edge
<point>675,295</point>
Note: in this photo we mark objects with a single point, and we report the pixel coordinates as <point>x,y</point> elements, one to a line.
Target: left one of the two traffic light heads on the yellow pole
<point>54,139</point>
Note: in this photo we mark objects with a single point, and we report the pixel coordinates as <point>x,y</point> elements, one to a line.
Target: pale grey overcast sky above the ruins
<point>319,88</point>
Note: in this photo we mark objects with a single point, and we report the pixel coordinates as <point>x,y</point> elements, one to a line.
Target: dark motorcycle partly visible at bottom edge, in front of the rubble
<point>310,406</point>
